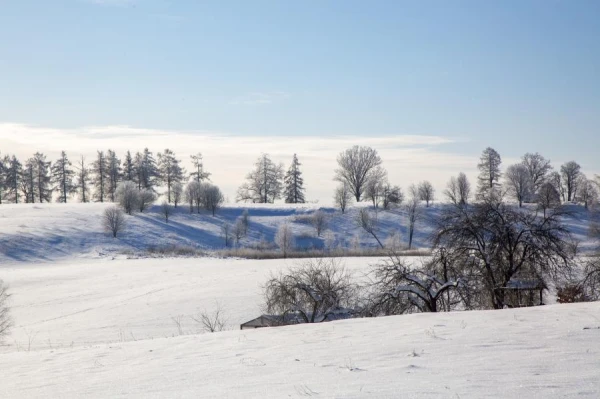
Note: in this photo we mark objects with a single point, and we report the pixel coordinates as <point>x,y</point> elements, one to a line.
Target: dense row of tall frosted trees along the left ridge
<point>37,180</point>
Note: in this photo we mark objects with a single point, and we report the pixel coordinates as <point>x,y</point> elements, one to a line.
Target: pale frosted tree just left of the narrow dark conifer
<point>263,184</point>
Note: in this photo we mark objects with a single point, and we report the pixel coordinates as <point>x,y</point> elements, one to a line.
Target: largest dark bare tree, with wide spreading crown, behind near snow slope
<point>499,243</point>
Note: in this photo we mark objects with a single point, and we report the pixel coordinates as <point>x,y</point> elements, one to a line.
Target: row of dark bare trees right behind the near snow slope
<point>479,252</point>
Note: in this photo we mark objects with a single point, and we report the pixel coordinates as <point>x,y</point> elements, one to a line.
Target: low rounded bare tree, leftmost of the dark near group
<point>313,292</point>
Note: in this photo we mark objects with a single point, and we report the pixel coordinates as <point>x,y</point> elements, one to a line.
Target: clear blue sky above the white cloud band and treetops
<point>516,75</point>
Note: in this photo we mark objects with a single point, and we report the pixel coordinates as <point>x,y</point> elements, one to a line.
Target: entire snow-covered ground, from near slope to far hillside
<point>90,321</point>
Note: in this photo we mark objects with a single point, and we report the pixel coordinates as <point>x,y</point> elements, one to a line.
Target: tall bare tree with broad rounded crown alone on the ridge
<point>357,166</point>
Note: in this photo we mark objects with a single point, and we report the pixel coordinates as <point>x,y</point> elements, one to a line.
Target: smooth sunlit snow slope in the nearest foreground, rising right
<point>543,352</point>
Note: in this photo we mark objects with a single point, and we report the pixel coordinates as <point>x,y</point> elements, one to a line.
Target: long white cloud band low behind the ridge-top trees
<point>408,158</point>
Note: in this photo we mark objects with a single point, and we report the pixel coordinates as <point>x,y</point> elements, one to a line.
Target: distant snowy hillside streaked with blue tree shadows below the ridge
<point>34,232</point>
